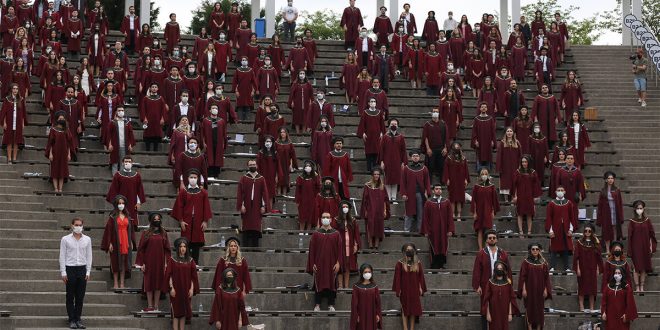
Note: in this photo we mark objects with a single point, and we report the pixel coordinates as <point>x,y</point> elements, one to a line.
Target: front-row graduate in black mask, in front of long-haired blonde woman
<point>228,310</point>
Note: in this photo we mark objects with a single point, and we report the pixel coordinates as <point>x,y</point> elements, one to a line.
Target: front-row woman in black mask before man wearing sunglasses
<point>499,303</point>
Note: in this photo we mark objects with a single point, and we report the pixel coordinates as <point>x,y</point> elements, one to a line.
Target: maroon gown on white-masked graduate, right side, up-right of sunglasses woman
<point>560,219</point>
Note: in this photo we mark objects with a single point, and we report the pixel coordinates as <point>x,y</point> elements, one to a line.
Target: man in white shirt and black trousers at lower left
<point>75,267</point>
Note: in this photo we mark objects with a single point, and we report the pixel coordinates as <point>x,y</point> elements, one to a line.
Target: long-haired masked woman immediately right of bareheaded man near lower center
<point>349,231</point>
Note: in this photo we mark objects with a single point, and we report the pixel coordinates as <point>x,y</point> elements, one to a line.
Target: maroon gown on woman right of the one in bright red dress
<point>153,253</point>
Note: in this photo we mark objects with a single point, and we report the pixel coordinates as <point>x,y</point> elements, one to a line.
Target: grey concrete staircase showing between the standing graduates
<point>34,219</point>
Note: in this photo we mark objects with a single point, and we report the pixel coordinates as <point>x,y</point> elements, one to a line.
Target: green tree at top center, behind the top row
<point>324,24</point>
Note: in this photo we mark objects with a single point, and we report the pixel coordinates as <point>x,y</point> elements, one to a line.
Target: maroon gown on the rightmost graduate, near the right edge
<point>642,244</point>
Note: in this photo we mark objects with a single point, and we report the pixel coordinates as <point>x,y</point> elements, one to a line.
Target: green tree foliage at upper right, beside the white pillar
<point>582,32</point>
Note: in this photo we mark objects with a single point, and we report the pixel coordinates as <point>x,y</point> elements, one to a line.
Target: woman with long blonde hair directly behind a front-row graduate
<point>233,259</point>
